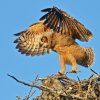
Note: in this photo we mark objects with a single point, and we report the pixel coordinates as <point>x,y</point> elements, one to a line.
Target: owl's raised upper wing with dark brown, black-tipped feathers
<point>60,21</point>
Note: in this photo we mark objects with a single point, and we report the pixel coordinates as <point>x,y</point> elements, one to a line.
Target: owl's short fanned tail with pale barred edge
<point>88,58</point>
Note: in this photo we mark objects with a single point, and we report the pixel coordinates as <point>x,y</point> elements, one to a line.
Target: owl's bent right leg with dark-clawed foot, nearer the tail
<point>74,64</point>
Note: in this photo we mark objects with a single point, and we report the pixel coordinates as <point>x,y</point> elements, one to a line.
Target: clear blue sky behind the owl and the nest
<point>17,15</point>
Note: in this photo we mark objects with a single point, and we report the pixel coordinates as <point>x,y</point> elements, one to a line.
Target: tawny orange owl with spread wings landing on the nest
<point>57,31</point>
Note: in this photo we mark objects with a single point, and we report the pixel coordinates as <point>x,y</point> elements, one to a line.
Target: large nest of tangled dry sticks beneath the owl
<point>63,88</point>
